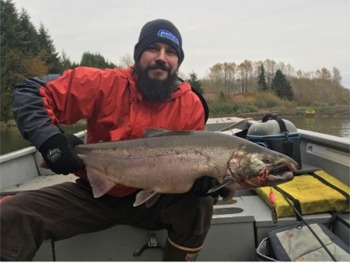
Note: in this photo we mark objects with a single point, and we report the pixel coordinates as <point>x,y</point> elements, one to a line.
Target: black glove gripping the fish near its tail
<point>59,155</point>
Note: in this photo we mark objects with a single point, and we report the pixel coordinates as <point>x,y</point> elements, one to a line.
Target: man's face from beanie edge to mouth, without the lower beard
<point>160,60</point>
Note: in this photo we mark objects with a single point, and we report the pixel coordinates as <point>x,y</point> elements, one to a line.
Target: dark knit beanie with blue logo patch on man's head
<point>159,30</point>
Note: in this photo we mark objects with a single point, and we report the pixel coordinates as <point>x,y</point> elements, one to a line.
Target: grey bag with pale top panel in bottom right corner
<point>299,243</point>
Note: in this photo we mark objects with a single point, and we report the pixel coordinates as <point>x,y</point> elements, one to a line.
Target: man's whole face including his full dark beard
<point>156,70</point>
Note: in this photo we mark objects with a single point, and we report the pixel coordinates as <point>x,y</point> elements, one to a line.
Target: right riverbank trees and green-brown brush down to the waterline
<point>255,86</point>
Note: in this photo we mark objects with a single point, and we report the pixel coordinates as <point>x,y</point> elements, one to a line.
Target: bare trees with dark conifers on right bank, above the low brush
<point>304,88</point>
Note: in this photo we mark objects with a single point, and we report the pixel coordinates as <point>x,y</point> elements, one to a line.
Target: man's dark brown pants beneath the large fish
<point>68,209</point>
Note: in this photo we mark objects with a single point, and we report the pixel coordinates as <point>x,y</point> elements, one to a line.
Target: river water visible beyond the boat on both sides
<point>11,139</point>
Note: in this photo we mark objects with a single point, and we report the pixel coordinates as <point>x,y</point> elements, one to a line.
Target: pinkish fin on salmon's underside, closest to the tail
<point>100,185</point>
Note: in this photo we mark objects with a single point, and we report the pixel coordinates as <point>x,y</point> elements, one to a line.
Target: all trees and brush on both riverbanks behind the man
<point>229,87</point>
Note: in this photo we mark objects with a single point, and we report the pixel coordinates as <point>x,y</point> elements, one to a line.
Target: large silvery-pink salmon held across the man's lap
<point>170,162</point>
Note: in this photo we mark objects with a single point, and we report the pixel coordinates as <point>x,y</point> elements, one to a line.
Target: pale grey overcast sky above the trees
<point>307,34</point>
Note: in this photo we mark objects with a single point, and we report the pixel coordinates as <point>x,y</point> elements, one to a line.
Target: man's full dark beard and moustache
<point>153,89</point>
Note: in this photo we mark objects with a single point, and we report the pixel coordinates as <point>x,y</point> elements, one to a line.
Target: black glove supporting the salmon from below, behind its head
<point>204,184</point>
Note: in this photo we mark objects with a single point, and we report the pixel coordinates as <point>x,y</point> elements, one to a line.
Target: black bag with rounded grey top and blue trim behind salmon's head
<point>277,134</point>
